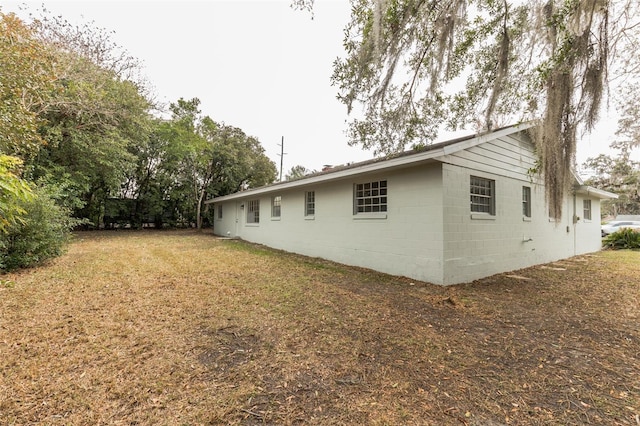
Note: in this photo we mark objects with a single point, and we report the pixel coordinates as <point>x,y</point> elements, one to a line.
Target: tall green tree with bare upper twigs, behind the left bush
<point>94,118</point>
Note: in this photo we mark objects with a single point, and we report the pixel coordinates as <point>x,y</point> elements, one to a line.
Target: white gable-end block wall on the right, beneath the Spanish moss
<point>477,245</point>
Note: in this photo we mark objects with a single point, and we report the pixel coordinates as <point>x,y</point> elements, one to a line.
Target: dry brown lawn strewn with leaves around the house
<point>183,328</point>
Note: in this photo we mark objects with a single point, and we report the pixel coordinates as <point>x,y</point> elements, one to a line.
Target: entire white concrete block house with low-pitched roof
<point>450,213</point>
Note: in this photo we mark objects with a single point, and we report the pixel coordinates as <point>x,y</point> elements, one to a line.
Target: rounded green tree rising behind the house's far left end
<point>190,158</point>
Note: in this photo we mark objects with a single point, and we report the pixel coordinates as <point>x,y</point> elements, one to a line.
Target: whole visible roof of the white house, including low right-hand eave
<point>399,160</point>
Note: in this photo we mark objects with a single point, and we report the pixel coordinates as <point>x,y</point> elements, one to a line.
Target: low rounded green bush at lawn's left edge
<point>40,234</point>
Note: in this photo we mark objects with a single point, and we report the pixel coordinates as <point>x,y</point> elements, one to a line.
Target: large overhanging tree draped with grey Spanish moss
<point>415,67</point>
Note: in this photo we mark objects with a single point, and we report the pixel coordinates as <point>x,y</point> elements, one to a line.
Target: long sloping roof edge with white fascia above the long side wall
<point>382,164</point>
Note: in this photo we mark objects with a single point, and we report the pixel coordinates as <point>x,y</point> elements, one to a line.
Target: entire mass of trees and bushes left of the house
<point>83,144</point>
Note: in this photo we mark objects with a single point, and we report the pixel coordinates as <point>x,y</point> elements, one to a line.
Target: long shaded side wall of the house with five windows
<point>407,240</point>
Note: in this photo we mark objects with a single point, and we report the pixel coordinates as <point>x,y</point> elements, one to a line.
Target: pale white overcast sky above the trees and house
<point>257,65</point>
